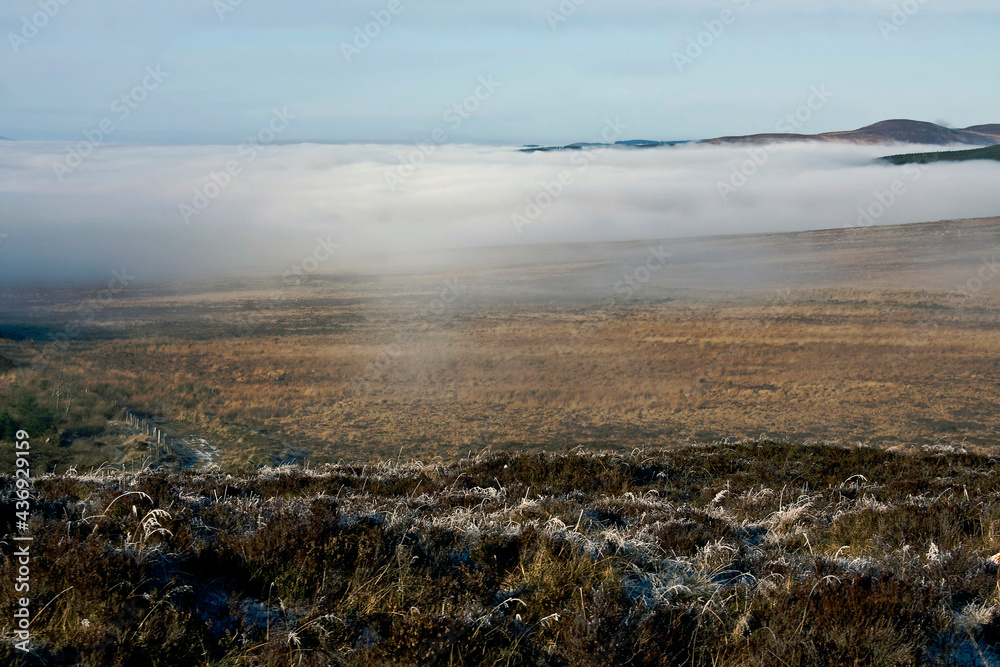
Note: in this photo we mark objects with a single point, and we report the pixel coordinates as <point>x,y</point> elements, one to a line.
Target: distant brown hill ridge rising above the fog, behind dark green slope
<point>898,131</point>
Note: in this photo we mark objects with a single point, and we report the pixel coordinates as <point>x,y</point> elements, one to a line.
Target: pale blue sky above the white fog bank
<point>224,72</point>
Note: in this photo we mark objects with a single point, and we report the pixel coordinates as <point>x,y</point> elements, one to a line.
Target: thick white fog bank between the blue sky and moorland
<point>176,212</point>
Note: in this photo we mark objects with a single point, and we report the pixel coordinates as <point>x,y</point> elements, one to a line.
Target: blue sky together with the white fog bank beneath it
<point>196,138</point>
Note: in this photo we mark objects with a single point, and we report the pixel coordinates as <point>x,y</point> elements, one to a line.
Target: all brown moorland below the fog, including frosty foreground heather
<point>746,450</point>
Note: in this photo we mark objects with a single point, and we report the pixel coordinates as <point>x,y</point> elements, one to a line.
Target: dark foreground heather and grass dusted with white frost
<point>749,553</point>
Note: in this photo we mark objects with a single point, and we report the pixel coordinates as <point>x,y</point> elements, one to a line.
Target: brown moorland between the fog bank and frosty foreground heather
<point>876,335</point>
